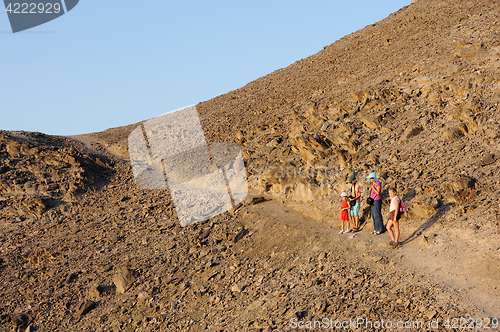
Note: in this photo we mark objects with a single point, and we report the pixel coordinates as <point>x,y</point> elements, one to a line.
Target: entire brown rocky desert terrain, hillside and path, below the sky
<point>413,97</point>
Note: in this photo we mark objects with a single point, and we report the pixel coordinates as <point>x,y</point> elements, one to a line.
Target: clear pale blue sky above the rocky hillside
<point>112,63</point>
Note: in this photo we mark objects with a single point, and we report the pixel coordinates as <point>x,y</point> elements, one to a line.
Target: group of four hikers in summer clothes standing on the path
<point>351,203</point>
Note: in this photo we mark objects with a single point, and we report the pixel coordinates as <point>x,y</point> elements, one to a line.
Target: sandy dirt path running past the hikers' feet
<point>446,261</point>
